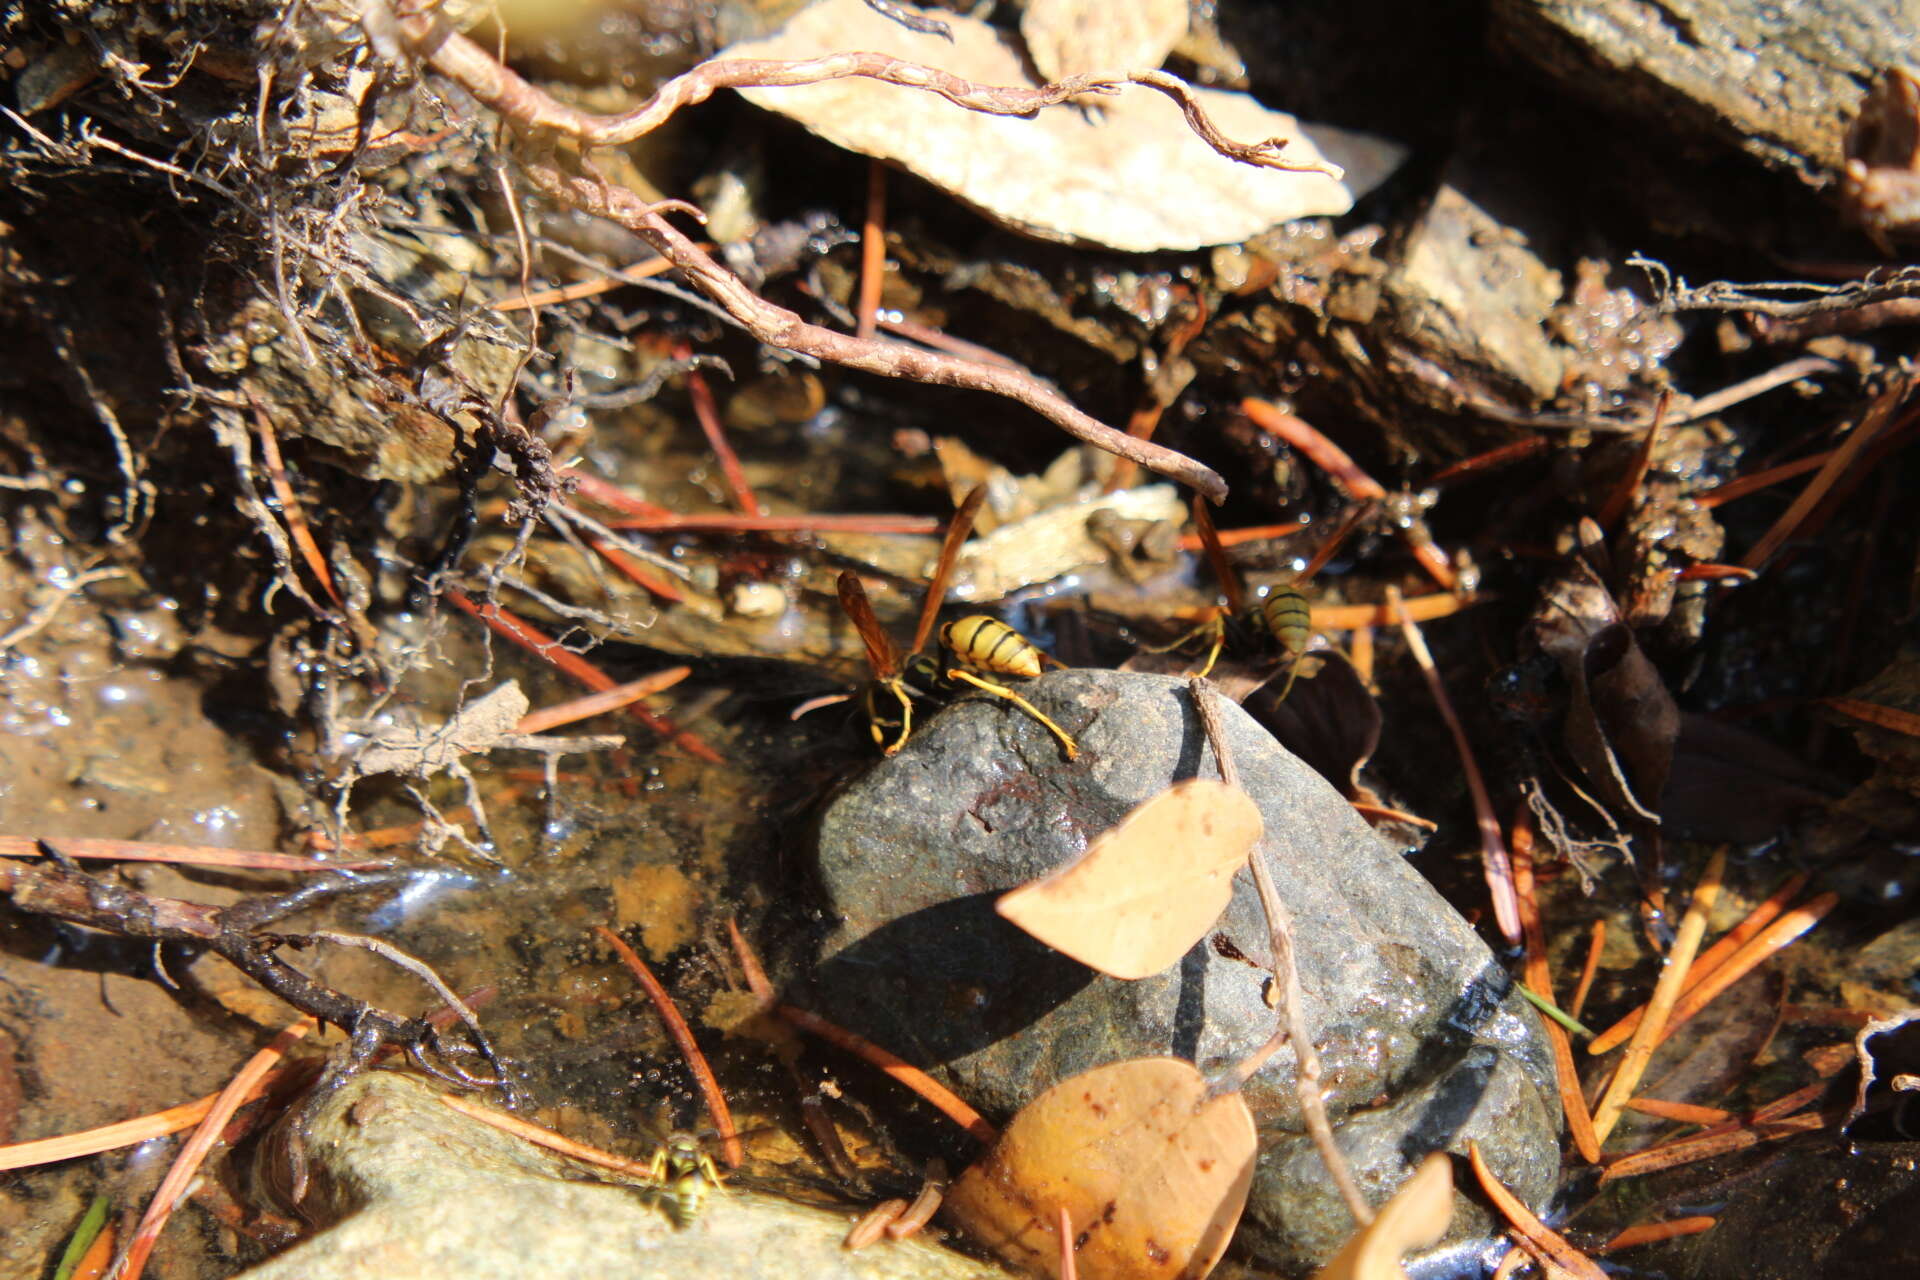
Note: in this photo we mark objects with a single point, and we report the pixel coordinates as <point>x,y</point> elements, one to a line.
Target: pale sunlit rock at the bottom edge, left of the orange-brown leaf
<point>408,1187</point>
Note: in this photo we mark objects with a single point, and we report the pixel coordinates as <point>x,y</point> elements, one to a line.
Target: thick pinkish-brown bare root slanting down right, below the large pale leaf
<point>890,360</point>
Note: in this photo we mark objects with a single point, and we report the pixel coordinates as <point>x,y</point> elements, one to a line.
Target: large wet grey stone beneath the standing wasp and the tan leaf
<point>1426,1043</point>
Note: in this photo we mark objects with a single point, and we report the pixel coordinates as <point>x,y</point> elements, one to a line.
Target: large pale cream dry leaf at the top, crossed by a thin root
<point>1134,179</point>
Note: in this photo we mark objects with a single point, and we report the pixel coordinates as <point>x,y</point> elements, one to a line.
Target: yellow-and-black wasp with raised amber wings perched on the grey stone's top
<point>976,642</point>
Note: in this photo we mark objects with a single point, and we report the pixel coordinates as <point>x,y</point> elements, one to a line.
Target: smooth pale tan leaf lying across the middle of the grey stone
<point>1149,889</point>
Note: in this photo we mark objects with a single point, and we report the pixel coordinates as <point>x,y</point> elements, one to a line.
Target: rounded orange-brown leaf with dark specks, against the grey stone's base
<point>1151,1172</point>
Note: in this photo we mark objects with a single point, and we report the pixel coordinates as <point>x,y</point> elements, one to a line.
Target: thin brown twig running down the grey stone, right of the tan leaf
<point>1291,1012</point>
